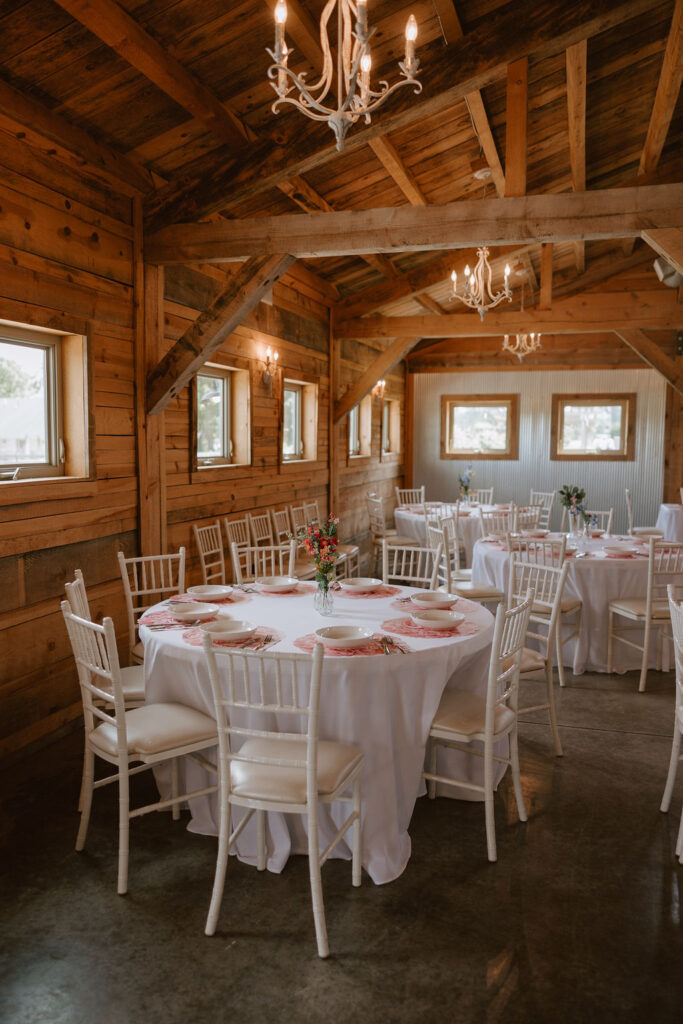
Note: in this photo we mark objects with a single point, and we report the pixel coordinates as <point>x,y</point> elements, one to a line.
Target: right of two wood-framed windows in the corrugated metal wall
<point>593,428</point>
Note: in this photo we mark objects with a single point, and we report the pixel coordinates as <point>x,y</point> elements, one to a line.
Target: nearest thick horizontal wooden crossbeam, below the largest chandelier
<point>601,215</point>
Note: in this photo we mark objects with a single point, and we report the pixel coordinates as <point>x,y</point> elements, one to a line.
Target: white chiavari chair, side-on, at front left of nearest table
<point>143,737</point>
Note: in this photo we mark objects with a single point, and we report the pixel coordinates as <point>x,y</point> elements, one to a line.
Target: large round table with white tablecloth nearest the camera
<point>383,705</point>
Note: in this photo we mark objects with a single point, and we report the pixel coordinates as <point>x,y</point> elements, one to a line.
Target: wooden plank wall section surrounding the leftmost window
<point>66,263</point>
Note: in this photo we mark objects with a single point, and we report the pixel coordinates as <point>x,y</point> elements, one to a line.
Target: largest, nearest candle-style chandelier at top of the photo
<point>355,98</point>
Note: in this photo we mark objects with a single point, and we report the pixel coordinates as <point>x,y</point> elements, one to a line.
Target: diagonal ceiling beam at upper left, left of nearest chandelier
<point>114,26</point>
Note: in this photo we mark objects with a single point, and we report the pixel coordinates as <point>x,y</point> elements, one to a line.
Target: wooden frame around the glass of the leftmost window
<point>70,404</point>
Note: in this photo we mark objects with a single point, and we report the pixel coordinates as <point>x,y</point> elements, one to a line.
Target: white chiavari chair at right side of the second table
<point>652,612</point>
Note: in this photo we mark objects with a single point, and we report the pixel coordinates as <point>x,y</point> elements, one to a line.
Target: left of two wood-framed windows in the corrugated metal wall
<point>485,426</point>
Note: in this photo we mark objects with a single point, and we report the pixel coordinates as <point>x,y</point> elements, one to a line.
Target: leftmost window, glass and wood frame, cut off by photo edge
<point>42,404</point>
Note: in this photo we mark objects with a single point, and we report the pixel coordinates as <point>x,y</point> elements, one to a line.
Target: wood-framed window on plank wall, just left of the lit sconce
<point>223,430</point>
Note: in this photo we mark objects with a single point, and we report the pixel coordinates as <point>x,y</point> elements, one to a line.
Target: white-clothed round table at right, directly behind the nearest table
<point>597,581</point>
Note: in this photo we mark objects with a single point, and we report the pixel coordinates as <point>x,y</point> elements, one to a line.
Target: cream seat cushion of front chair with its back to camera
<point>288,786</point>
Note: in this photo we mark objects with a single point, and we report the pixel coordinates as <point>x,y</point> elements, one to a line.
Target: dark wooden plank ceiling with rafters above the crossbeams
<point>175,99</point>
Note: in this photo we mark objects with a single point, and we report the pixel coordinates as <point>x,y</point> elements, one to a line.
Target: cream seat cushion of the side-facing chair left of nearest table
<point>155,729</point>
